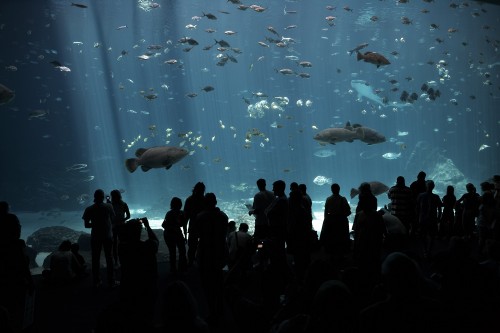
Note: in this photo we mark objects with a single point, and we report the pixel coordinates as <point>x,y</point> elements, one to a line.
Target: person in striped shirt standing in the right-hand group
<point>402,205</point>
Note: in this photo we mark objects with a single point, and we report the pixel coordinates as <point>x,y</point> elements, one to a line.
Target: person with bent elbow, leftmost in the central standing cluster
<point>261,201</point>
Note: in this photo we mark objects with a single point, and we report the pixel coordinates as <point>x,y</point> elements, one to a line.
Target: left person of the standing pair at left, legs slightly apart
<point>98,217</point>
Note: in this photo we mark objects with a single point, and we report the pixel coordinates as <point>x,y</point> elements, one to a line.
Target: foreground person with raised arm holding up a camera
<point>138,285</point>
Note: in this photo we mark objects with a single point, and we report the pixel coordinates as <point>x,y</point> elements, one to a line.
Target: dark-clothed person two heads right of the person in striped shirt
<point>429,208</point>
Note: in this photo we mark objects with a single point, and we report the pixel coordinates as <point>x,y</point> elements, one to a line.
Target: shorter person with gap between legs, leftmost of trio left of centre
<point>174,224</point>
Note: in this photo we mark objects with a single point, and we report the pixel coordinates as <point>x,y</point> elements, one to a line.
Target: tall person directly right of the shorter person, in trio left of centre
<point>192,207</point>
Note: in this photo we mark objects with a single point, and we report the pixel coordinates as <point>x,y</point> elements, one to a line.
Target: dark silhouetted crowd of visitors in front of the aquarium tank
<point>420,264</point>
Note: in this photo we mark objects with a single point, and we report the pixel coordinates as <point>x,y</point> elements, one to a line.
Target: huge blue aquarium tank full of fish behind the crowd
<point>151,97</point>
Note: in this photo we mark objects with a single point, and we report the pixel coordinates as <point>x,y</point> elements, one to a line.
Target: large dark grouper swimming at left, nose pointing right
<point>155,157</point>
